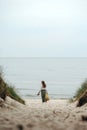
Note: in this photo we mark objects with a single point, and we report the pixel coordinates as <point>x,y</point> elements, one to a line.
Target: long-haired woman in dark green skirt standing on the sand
<point>43,91</point>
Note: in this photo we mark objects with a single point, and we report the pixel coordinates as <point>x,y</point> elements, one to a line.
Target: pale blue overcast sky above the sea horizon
<point>43,28</point>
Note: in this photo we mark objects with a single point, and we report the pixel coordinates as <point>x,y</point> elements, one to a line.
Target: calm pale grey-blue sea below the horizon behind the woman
<point>62,75</point>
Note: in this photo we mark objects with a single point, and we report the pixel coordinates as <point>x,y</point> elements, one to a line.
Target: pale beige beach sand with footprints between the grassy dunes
<point>35,115</point>
